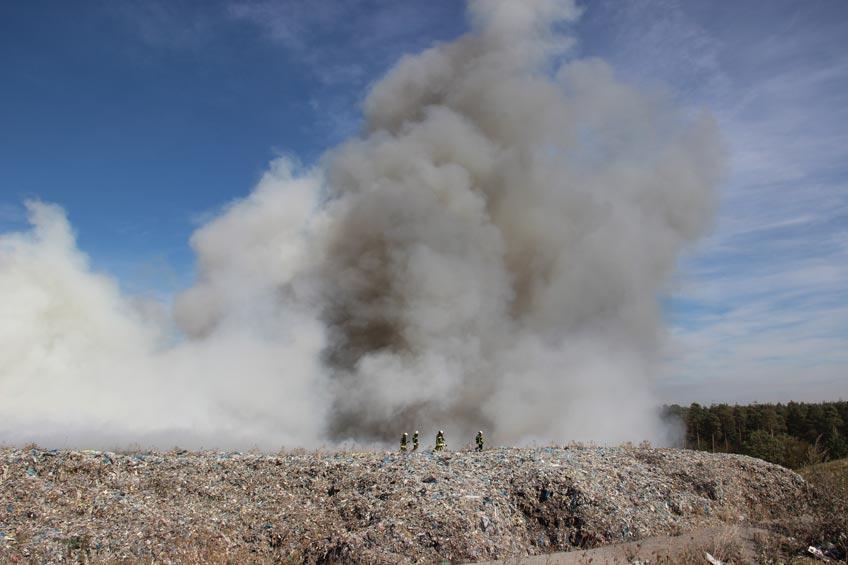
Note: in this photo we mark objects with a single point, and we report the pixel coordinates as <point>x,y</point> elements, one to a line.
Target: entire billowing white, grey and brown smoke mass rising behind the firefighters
<point>488,254</point>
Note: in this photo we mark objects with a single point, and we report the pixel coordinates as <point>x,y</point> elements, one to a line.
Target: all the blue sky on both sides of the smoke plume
<point>143,118</point>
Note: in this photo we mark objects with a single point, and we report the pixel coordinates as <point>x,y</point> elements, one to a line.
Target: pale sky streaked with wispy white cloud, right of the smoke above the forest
<point>760,311</point>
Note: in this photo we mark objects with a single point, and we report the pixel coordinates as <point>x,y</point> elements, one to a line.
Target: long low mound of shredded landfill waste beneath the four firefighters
<point>375,507</point>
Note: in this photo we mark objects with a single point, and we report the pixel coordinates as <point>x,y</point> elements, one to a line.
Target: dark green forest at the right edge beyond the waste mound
<point>794,434</point>
